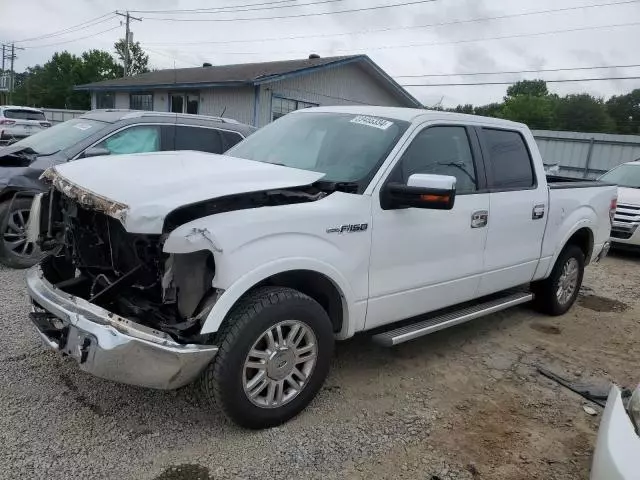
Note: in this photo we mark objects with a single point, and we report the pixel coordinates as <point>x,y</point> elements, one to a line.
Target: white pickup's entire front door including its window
<point>421,259</point>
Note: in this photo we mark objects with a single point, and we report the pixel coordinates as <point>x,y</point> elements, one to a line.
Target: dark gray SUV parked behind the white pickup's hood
<point>99,132</point>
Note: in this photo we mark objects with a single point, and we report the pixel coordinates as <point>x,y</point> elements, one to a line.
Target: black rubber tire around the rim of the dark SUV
<point>8,256</point>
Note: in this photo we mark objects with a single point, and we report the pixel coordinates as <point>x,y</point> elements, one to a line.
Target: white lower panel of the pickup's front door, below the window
<point>423,260</point>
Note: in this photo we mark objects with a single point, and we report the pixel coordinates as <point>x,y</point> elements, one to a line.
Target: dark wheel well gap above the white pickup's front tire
<point>315,285</point>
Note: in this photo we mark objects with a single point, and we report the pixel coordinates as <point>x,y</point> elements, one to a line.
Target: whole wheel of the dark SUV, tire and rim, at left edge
<point>15,250</point>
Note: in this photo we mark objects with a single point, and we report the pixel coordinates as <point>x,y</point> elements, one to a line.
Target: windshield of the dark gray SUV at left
<point>61,136</point>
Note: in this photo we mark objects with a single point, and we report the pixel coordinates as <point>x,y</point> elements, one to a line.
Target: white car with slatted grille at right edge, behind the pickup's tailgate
<point>624,230</point>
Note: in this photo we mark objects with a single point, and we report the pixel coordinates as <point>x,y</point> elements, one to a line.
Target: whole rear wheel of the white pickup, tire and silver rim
<point>556,294</point>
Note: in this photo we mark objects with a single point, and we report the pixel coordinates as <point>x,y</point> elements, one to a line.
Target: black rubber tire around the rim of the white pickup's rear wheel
<point>546,291</point>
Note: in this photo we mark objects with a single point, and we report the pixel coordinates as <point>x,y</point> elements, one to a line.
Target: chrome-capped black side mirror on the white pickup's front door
<point>436,192</point>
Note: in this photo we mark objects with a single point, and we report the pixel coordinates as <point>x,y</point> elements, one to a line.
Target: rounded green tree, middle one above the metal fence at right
<point>583,113</point>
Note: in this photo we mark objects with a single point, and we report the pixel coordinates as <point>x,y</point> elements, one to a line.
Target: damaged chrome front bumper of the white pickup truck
<point>109,346</point>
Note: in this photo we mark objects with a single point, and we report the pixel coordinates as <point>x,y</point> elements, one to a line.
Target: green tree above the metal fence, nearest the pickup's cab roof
<point>537,112</point>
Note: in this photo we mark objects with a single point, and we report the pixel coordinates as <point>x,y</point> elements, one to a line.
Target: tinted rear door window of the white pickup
<point>510,164</point>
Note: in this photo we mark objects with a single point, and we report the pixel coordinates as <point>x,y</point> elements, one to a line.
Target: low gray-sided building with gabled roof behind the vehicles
<point>254,93</point>
